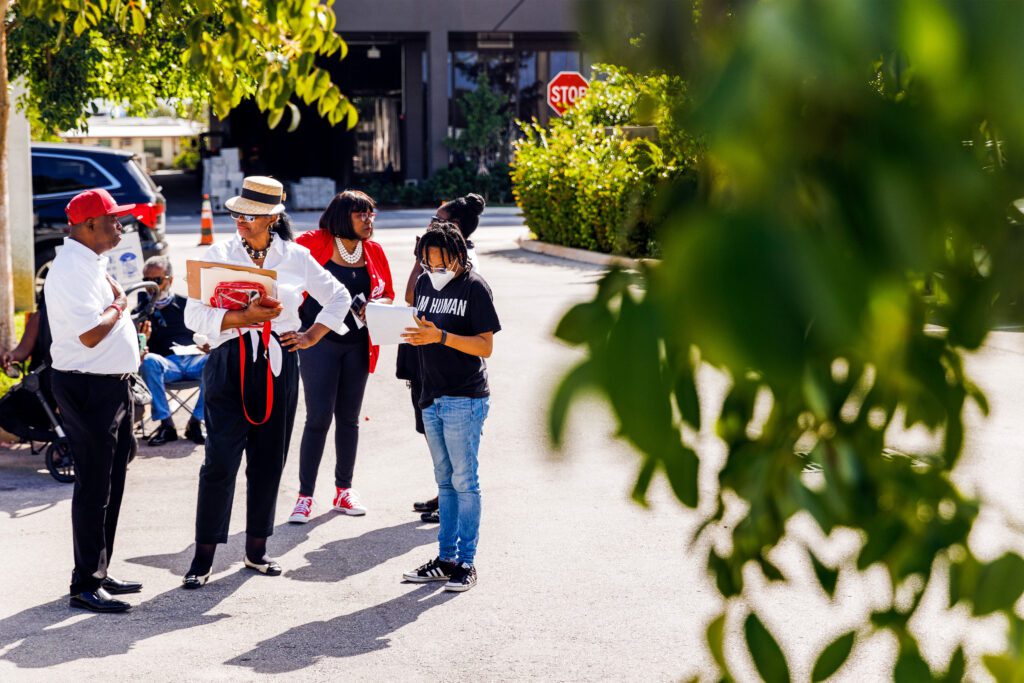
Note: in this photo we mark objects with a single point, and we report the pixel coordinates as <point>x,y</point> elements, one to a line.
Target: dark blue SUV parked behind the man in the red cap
<point>61,172</point>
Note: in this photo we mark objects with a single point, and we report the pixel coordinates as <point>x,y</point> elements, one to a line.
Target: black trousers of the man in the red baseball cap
<point>97,412</point>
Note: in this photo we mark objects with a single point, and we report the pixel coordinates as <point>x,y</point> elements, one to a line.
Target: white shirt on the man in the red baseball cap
<point>77,294</point>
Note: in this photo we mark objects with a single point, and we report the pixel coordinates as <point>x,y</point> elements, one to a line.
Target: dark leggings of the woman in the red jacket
<point>334,379</point>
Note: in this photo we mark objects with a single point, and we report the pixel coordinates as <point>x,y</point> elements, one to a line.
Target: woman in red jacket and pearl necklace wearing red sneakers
<point>334,372</point>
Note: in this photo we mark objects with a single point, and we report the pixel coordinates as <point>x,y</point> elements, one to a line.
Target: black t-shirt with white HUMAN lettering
<point>464,308</point>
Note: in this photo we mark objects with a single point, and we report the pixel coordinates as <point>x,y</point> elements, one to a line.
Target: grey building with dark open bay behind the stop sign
<point>408,64</point>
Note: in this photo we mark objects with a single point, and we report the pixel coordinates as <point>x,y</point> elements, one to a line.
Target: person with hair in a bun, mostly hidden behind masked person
<point>465,214</point>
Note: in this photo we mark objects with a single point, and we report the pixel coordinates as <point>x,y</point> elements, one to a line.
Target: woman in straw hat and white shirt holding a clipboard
<point>252,377</point>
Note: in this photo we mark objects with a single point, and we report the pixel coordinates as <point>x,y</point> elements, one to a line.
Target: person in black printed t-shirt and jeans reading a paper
<point>454,335</point>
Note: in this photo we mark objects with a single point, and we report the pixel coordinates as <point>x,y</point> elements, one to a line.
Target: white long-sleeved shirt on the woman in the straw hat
<point>297,273</point>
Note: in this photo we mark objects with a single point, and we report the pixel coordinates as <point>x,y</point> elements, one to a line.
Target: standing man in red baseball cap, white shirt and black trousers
<point>95,354</point>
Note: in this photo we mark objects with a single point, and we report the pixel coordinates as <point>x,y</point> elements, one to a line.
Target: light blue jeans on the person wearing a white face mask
<point>454,426</point>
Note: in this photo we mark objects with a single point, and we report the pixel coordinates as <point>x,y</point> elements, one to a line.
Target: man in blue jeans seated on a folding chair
<point>166,329</point>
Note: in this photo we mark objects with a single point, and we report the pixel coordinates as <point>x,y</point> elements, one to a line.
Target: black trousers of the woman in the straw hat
<point>230,435</point>
